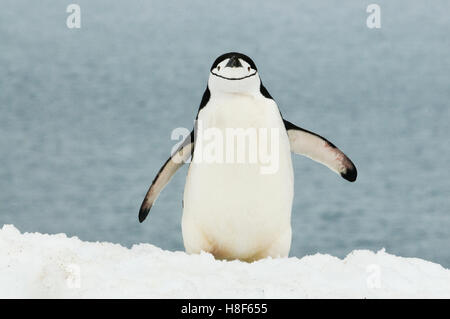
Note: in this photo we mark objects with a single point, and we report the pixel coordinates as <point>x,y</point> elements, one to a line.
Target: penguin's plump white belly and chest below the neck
<point>233,209</point>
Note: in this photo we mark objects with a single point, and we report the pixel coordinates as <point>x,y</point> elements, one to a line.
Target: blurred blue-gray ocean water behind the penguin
<point>86,115</point>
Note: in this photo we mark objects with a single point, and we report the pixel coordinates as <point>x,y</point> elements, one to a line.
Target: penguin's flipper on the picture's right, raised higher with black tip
<point>321,150</point>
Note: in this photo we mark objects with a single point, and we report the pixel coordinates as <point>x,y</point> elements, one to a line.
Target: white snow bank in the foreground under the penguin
<point>34,265</point>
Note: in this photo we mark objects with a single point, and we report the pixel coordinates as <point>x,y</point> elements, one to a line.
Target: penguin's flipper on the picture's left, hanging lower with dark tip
<point>165,174</point>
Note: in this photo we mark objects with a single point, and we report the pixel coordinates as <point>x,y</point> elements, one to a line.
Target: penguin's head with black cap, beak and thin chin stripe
<point>234,73</point>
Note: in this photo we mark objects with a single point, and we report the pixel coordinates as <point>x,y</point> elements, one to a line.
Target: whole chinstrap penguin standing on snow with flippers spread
<point>233,209</point>
